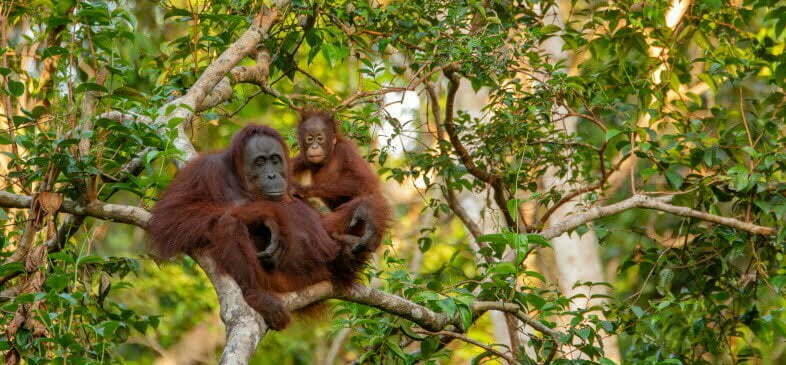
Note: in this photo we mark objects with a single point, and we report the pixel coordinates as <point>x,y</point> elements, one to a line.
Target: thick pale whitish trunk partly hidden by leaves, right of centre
<point>577,257</point>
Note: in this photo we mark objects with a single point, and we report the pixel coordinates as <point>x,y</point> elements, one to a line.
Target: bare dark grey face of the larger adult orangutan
<point>265,167</point>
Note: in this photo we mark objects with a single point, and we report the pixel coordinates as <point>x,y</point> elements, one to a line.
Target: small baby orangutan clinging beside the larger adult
<point>338,174</point>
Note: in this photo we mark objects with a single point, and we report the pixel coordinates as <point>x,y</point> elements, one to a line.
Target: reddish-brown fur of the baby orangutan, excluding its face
<point>343,177</point>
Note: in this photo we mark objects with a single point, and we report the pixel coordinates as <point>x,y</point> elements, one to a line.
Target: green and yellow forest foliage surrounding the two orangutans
<point>690,108</point>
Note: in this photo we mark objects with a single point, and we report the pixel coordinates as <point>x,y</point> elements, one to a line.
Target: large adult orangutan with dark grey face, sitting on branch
<point>234,206</point>
